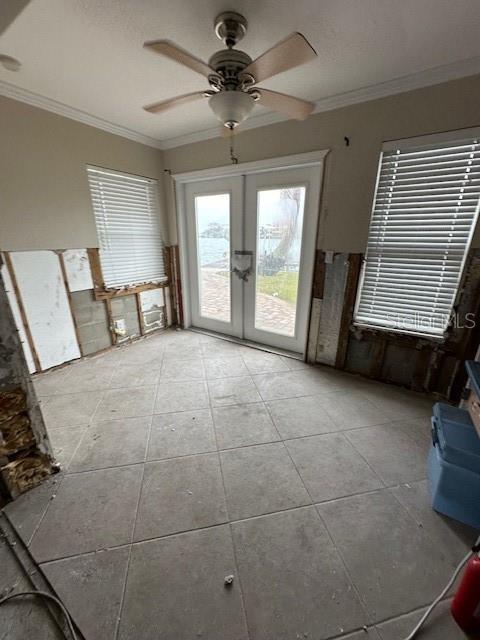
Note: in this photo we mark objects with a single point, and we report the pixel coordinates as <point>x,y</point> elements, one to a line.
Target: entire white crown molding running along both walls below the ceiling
<point>426,78</point>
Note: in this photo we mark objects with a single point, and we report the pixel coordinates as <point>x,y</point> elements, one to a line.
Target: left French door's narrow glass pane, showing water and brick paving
<point>212,215</point>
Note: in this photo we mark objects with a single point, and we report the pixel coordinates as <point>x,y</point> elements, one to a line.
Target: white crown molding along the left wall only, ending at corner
<point>36,100</point>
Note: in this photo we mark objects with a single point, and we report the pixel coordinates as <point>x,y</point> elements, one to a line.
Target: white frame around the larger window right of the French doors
<point>410,144</point>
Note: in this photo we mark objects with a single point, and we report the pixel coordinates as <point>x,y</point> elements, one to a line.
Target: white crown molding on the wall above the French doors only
<point>435,75</point>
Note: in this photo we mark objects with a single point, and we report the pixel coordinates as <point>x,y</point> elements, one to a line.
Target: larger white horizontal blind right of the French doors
<point>424,214</point>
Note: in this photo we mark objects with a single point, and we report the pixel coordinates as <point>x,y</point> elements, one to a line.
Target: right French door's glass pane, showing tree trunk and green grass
<point>279,244</point>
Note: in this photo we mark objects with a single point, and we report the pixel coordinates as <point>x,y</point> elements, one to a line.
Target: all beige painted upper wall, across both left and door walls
<point>44,197</point>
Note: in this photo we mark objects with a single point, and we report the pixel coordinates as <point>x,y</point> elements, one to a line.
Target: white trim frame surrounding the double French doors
<point>310,159</point>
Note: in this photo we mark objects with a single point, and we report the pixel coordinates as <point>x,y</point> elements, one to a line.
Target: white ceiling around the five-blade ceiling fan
<point>88,55</point>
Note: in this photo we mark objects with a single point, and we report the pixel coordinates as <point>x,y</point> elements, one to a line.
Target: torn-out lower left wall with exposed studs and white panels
<point>61,315</point>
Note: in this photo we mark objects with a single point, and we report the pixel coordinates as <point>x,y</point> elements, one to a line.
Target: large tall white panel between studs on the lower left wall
<point>41,286</point>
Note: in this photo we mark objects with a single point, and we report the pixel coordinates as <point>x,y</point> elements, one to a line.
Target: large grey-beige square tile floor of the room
<point>187,458</point>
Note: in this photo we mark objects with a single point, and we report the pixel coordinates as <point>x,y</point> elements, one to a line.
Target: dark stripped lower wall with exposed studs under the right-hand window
<point>417,363</point>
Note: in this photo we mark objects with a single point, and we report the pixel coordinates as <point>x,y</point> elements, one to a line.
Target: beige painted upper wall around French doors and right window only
<point>350,171</point>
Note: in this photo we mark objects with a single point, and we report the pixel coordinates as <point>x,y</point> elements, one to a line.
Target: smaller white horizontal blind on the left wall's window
<point>128,224</point>
